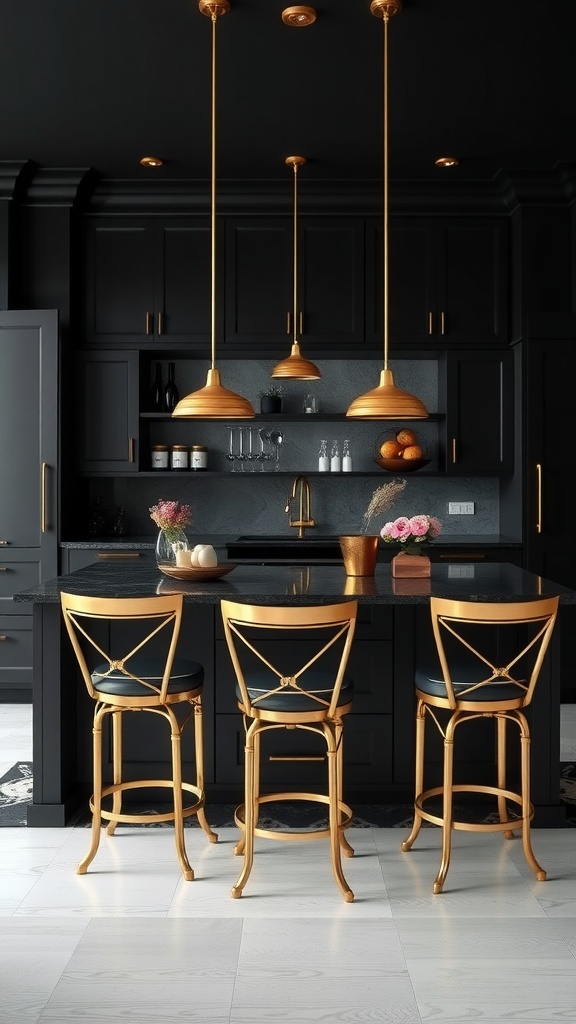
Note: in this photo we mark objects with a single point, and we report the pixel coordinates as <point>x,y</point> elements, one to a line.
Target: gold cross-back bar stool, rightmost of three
<point>481,673</point>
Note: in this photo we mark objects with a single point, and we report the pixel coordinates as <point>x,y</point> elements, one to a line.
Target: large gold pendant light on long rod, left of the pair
<point>214,402</point>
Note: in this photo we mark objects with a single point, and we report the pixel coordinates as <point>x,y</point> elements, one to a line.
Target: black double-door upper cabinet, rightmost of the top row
<point>448,282</point>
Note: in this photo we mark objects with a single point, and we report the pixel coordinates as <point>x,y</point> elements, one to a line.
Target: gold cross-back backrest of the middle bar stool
<point>332,627</point>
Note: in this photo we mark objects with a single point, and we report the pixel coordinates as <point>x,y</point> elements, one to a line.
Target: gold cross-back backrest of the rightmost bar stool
<point>456,630</point>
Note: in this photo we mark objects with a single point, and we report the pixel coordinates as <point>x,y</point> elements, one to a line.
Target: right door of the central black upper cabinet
<point>332,278</point>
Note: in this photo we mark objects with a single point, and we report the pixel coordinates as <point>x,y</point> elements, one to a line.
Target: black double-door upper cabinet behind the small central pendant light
<point>260,276</point>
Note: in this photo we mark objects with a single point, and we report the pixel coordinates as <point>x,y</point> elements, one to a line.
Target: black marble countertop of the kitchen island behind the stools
<point>306,585</point>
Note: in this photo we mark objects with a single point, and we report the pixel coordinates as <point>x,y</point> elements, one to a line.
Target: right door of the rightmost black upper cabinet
<point>472,284</point>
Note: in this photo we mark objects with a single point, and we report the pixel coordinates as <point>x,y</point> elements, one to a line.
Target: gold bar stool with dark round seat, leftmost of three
<point>134,680</point>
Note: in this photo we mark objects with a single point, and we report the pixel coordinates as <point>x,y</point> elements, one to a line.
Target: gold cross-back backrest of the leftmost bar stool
<point>83,617</point>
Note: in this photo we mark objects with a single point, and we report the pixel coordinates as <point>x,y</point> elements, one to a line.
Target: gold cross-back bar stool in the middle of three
<point>313,695</point>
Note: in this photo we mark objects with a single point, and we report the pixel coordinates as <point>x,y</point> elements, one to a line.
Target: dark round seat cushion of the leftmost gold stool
<point>186,675</point>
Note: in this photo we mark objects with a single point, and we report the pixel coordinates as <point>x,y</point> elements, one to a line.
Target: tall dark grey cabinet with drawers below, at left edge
<point>29,472</point>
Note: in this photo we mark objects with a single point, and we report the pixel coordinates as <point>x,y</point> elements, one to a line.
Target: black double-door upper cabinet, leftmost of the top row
<point>148,282</point>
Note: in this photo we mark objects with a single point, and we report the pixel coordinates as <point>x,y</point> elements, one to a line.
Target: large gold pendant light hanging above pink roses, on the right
<point>387,402</point>
